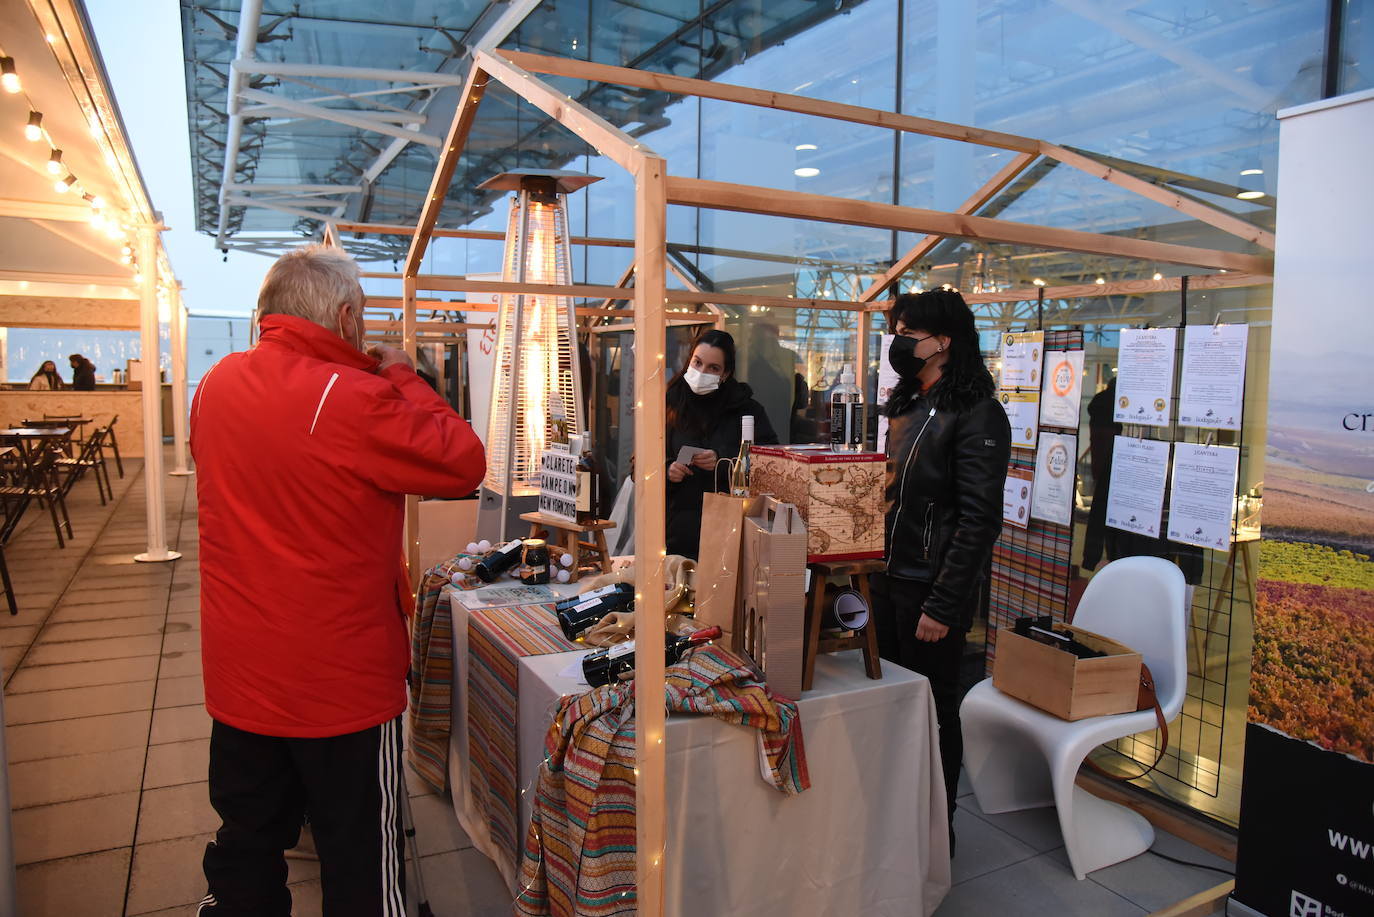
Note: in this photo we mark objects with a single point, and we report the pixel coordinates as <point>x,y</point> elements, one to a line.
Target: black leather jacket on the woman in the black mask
<point>945,494</point>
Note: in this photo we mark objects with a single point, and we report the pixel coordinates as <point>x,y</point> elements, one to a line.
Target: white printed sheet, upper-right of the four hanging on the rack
<point>1214,376</point>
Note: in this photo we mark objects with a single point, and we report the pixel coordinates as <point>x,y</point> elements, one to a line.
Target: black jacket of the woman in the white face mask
<point>726,406</point>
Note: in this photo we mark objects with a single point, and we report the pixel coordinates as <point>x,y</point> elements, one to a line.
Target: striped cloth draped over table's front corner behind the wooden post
<point>581,849</point>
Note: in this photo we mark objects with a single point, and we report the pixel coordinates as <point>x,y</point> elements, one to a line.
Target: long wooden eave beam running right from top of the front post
<point>723,196</point>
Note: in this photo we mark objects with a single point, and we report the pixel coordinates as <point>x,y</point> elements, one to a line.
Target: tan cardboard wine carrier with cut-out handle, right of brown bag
<point>772,626</point>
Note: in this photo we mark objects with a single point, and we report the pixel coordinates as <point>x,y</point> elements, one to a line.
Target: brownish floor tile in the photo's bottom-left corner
<point>89,886</point>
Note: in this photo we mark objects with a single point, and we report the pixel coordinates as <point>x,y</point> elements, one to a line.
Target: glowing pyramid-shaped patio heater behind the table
<point>537,364</point>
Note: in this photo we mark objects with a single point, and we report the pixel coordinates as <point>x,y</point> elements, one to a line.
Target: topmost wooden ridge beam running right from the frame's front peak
<point>767,100</point>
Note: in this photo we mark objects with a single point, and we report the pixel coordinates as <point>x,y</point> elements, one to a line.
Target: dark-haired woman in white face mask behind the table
<point>706,406</point>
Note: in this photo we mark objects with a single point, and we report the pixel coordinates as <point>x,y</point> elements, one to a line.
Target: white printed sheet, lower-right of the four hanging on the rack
<point>1203,498</point>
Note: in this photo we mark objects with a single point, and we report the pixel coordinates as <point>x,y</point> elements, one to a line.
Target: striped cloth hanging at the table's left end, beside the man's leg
<point>432,677</point>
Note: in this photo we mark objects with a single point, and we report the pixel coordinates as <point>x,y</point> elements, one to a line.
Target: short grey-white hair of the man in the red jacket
<point>313,283</point>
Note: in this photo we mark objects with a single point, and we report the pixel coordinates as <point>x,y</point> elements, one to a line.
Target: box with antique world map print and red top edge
<point>840,497</point>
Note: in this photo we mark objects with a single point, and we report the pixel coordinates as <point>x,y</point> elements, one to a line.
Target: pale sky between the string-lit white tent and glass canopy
<point>142,49</point>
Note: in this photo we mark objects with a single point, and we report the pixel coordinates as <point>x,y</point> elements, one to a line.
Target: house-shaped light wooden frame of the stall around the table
<point>655,190</point>
